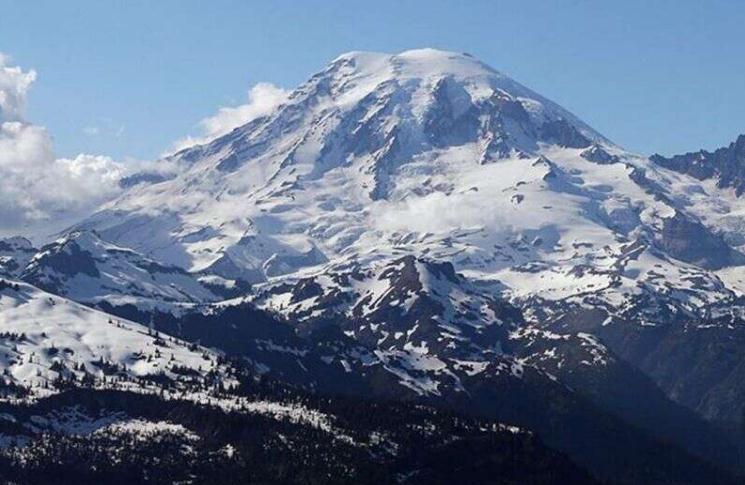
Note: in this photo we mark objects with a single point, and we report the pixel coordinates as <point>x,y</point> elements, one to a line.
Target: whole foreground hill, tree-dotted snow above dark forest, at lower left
<point>79,387</point>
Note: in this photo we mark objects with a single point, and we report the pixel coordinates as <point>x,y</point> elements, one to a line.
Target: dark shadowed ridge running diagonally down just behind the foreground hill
<point>326,362</point>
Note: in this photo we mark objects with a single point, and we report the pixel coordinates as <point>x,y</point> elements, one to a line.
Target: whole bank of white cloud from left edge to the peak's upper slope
<point>41,194</point>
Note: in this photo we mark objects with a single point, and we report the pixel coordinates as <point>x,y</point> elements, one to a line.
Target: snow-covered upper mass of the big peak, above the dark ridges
<point>430,153</point>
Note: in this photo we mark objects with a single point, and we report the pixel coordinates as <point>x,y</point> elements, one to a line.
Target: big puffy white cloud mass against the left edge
<point>40,193</point>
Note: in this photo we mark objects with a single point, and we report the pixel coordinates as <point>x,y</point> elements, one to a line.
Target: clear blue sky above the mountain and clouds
<point>664,76</point>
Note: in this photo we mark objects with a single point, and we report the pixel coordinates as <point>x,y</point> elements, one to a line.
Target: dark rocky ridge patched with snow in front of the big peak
<point>440,335</point>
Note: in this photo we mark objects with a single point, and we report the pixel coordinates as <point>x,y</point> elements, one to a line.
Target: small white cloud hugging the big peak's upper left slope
<point>262,99</point>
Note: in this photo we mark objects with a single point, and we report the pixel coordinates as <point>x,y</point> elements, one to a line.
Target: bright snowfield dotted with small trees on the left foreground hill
<point>47,340</point>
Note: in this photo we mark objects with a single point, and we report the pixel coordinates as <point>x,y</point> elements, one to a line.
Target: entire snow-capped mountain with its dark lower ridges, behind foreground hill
<point>420,227</point>
